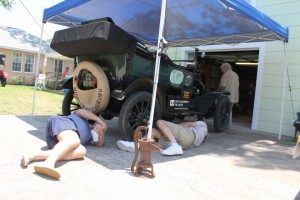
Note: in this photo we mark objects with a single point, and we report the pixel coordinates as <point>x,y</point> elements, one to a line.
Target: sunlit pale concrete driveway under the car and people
<point>237,164</point>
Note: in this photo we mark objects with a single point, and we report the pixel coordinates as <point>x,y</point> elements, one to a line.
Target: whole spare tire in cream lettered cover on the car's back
<point>91,87</point>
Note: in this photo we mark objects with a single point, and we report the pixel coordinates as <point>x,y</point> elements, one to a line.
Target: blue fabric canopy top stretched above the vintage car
<point>187,23</point>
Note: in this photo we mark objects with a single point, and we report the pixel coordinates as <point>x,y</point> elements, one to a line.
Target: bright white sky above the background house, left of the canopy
<point>18,17</point>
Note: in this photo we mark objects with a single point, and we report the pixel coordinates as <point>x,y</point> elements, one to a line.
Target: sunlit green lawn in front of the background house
<point>18,100</point>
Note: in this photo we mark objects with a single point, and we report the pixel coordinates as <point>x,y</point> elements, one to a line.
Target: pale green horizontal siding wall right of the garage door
<point>286,12</point>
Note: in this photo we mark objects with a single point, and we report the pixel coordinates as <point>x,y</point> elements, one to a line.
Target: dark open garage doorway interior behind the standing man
<point>244,63</point>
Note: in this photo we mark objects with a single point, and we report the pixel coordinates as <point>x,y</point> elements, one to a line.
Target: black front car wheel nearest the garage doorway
<point>221,115</point>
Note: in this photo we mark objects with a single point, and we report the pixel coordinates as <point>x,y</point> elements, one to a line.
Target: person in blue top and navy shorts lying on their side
<point>65,137</point>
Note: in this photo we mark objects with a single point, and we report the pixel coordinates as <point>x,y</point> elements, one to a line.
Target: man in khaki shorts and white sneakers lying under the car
<point>174,137</point>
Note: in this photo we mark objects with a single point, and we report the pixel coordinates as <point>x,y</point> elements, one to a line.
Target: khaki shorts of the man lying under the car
<point>183,135</point>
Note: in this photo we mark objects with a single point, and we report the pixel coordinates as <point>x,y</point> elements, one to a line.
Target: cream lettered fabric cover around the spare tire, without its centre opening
<point>94,100</point>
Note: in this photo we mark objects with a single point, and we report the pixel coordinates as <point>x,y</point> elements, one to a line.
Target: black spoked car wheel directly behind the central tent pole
<point>135,112</point>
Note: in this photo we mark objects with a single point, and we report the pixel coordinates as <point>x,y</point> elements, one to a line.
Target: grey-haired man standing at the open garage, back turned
<point>229,83</point>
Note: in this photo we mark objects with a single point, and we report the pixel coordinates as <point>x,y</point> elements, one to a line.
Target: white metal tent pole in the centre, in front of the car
<point>157,64</point>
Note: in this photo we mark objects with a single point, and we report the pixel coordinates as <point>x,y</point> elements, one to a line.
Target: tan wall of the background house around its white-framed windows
<point>26,78</point>
